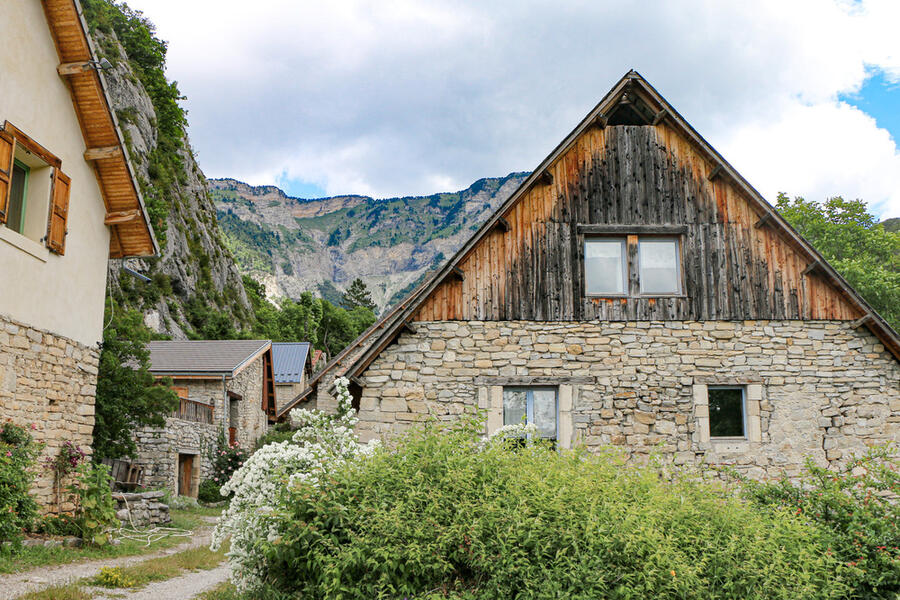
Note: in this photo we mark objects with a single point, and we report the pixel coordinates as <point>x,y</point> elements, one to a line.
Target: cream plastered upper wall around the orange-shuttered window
<point>61,294</point>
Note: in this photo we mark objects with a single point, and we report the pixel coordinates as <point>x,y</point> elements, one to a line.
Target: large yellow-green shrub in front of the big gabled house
<point>443,516</point>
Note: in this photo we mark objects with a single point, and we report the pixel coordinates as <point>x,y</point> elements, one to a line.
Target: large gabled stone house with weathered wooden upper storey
<point>637,292</point>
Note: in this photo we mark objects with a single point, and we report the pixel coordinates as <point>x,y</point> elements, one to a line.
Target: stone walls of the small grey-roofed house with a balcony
<point>158,448</point>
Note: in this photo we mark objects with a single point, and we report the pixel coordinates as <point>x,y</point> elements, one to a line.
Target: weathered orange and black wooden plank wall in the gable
<point>634,175</point>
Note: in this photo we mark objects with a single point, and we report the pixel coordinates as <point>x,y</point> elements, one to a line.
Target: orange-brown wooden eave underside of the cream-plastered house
<point>101,133</point>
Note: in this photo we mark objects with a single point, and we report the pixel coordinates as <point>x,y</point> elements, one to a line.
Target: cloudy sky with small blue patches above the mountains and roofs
<point>387,98</point>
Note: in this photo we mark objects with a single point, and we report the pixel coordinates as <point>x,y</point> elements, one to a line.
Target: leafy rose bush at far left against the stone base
<point>18,454</point>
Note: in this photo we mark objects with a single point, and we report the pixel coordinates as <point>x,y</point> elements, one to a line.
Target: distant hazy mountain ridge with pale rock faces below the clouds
<point>292,245</point>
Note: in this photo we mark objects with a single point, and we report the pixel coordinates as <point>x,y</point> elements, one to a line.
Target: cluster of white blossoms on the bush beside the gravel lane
<point>261,485</point>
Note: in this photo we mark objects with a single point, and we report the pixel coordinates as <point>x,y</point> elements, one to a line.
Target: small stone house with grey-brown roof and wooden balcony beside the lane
<point>226,387</point>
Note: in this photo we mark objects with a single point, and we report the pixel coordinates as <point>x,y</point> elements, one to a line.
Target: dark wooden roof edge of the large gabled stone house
<point>633,83</point>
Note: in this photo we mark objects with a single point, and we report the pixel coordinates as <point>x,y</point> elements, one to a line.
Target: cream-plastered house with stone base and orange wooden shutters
<point>69,201</point>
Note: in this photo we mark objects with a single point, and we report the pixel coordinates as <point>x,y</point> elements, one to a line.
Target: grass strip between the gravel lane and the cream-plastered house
<point>34,557</point>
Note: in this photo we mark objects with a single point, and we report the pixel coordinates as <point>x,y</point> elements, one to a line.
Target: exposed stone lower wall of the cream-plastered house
<point>48,382</point>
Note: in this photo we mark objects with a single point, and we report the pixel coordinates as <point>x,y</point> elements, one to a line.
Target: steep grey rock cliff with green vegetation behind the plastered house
<point>195,288</point>
